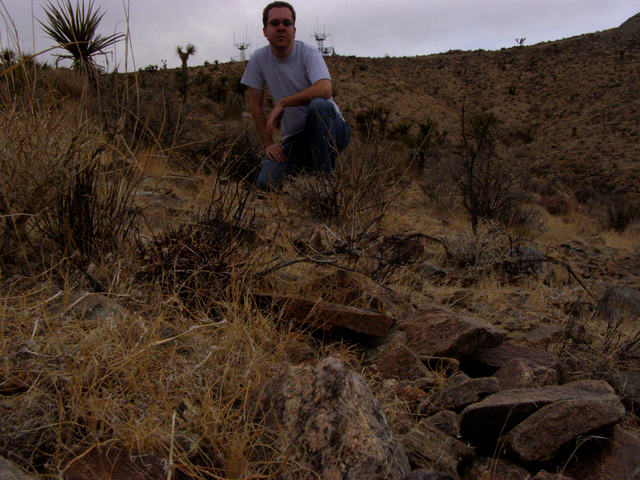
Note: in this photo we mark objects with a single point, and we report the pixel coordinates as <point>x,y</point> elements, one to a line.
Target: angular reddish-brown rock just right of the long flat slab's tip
<point>439,332</point>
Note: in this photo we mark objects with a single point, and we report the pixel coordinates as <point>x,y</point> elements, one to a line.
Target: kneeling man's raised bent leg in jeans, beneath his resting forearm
<point>326,133</point>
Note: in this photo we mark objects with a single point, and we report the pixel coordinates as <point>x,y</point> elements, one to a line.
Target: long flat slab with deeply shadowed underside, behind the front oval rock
<point>483,422</point>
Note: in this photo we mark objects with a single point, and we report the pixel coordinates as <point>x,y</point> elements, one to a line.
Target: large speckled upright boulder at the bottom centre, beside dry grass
<point>332,426</point>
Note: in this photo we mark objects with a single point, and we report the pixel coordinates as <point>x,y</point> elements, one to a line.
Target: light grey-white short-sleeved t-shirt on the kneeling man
<point>287,76</point>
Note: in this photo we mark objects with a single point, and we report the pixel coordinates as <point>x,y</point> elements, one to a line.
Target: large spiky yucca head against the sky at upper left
<point>75,30</point>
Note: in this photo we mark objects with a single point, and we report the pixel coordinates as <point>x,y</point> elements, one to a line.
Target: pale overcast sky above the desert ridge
<point>357,27</point>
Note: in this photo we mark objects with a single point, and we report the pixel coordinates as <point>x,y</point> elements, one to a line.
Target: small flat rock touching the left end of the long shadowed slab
<point>459,394</point>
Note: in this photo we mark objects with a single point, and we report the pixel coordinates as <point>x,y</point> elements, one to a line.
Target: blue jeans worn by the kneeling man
<point>314,149</point>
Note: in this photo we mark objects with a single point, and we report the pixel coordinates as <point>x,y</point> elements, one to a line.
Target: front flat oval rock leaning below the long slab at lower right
<point>541,436</point>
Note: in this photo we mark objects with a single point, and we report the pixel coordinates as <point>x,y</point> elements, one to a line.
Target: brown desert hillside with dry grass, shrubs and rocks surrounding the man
<point>460,300</point>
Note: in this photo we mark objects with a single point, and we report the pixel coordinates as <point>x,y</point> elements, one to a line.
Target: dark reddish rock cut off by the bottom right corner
<point>617,458</point>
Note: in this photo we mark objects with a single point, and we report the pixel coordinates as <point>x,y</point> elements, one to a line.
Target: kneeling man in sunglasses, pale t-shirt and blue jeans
<point>299,82</point>
